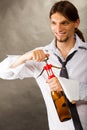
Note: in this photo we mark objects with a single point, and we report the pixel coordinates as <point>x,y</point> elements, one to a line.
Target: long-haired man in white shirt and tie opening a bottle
<point>64,20</point>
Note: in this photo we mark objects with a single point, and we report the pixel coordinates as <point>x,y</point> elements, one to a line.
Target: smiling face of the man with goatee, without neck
<point>62,28</point>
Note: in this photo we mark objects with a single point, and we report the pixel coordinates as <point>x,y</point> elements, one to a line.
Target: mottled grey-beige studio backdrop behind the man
<point>24,25</point>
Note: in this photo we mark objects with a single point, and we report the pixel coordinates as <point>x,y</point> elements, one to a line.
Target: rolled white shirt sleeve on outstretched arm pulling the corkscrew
<point>20,72</point>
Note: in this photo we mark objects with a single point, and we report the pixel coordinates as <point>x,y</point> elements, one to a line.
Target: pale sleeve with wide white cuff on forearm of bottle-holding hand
<point>73,89</point>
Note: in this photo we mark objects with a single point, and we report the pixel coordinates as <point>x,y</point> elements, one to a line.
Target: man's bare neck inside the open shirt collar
<point>65,47</point>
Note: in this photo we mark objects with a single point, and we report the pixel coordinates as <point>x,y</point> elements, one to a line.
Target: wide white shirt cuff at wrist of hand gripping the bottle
<point>71,88</point>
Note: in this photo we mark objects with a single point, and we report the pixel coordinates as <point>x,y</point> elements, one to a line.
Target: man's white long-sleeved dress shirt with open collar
<point>77,70</point>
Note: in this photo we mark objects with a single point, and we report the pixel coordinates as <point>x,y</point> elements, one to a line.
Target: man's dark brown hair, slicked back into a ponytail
<point>68,10</point>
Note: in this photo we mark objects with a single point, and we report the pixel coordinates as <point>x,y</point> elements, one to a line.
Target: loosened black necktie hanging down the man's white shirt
<point>73,109</point>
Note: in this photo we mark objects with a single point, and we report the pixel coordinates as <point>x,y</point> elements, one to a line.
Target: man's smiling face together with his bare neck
<point>63,29</point>
